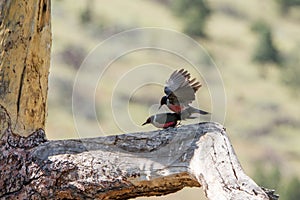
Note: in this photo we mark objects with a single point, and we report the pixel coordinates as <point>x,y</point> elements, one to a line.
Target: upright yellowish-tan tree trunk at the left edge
<point>25,46</point>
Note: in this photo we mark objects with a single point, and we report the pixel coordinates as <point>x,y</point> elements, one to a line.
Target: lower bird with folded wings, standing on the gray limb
<point>163,120</point>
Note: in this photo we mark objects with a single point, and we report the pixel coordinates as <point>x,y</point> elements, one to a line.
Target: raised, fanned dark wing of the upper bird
<point>180,88</point>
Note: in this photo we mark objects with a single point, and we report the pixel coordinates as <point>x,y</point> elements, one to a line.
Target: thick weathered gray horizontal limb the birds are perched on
<point>124,166</point>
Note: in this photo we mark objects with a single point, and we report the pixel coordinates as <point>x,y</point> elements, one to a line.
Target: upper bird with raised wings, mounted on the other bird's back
<point>180,92</point>
